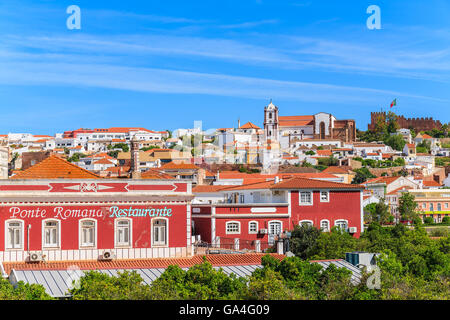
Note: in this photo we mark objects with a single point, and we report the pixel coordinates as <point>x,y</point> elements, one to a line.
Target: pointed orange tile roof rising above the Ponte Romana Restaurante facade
<point>55,167</point>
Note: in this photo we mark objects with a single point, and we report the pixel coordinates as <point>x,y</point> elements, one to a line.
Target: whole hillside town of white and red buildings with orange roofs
<point>111,195</point>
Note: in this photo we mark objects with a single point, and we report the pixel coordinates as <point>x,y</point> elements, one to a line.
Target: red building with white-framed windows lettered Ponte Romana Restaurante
<point>86,216</point>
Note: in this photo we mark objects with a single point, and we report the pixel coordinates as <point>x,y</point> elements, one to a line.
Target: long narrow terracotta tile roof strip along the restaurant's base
<point>214,259</point>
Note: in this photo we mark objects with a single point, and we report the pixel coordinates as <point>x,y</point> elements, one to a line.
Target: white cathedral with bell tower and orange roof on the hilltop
<point>323,126</point>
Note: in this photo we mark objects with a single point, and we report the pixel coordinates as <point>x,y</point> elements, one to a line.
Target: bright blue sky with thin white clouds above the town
<point>164,64</point>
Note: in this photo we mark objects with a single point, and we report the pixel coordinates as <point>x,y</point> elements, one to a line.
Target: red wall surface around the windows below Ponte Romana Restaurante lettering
<point>69,227</point>
